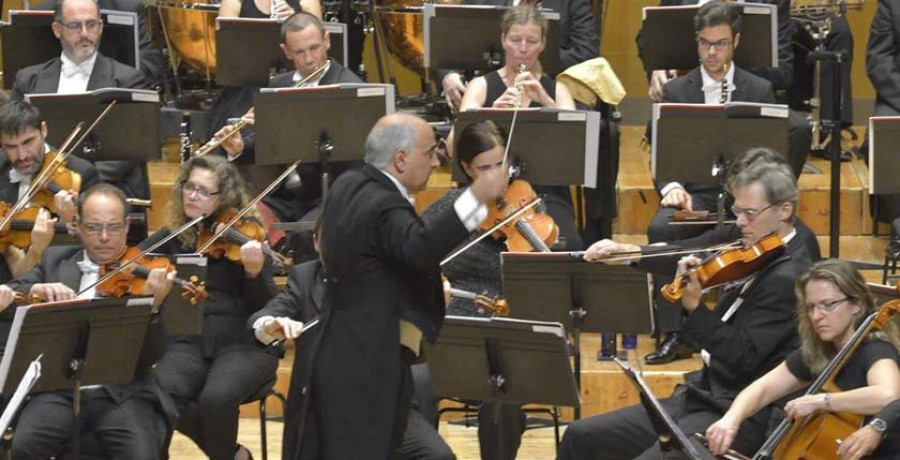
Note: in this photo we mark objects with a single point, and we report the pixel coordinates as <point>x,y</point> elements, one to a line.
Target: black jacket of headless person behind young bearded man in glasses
<point>782,76</point>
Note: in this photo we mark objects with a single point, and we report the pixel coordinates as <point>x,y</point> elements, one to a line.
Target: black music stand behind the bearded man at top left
<point>29,40</point>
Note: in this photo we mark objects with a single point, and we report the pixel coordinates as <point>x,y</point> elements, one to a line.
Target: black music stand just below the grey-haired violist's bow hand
<point>584,297</point>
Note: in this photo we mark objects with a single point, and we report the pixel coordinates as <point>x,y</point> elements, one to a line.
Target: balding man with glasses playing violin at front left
<point>128,420</point>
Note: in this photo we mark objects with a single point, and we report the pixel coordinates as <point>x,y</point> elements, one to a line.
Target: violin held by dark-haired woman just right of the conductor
<point>531,231</point>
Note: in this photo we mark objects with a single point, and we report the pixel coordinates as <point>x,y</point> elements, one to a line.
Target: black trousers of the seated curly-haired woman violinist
<point>218,386</point>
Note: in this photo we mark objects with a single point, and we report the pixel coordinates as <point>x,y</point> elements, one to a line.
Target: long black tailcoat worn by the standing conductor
<point>382,264</point>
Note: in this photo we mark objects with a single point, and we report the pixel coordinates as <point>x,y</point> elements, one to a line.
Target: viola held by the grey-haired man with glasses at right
<point>729,265</point>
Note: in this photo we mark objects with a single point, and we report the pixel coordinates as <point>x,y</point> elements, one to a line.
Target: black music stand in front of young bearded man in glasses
<point>688,139</point>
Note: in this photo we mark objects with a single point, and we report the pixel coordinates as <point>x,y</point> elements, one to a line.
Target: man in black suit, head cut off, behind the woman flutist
<point>579,39</point>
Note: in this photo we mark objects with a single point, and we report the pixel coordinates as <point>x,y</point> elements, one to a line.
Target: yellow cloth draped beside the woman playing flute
<point>591,80</point>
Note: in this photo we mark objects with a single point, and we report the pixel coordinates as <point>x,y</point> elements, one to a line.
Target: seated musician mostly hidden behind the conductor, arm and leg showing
<point>300,302</point>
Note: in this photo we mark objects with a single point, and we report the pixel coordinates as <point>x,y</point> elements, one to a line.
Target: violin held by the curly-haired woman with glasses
<point>229,245</point>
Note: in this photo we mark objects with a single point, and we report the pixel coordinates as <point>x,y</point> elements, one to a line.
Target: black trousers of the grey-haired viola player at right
<point>629,434</point>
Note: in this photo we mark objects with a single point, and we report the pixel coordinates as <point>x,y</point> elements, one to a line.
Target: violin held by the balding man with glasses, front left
<point>131,281</point>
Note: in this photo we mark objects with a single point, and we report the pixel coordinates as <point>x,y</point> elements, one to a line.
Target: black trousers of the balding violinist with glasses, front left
<point>135,429</point>
